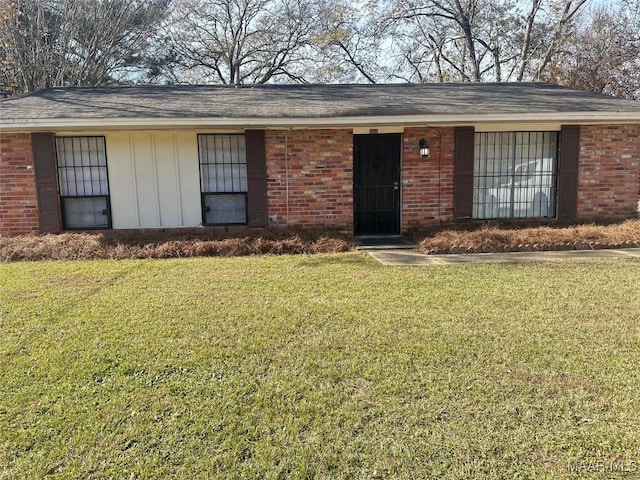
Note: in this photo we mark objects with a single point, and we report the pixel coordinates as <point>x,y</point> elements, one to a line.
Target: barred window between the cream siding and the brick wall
<point>223,179</point>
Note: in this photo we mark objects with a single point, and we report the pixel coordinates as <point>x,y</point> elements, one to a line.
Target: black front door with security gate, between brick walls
<point>376,184</point>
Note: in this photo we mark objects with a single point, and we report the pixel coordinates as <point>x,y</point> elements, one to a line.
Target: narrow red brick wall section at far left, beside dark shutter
<point>18,198</point>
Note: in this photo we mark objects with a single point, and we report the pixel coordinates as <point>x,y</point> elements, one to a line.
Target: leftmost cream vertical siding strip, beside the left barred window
<point>122,181</point>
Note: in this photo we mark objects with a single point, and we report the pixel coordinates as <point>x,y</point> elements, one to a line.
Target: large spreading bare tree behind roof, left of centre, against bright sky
<point>238,41</point>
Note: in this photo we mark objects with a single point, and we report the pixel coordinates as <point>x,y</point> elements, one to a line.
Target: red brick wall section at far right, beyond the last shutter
<point>609,171</point>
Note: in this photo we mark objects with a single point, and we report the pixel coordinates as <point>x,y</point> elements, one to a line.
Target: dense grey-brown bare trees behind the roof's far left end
<point>74,42</point>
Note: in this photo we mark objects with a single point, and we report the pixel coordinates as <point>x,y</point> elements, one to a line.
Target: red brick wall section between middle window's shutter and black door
<point>319,178</point>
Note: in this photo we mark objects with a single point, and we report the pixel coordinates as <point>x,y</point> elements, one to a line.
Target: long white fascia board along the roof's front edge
<point>582,118</point>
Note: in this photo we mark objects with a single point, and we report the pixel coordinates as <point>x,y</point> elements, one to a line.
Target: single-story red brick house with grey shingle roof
<point>368,159</point>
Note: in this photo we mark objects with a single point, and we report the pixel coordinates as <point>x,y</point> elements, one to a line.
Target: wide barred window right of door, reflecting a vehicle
<point>515,175</point>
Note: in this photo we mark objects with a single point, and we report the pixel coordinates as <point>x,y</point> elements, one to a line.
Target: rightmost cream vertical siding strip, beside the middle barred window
<point>186,148</point>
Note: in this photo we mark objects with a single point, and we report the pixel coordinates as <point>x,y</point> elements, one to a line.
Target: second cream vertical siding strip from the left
<point>146,179</point>
